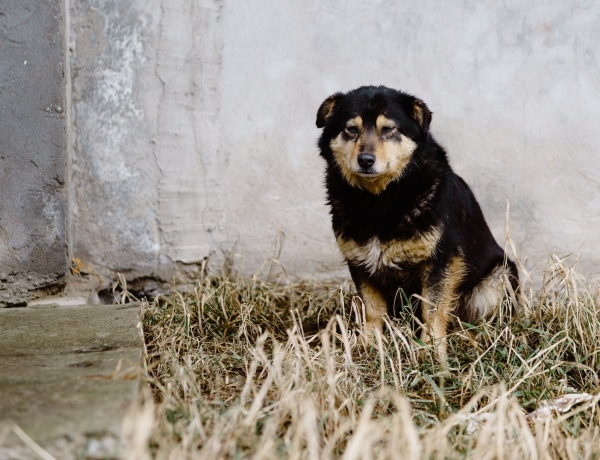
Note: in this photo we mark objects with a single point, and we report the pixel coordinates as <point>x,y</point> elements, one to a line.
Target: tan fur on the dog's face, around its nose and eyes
<point>392,152</point>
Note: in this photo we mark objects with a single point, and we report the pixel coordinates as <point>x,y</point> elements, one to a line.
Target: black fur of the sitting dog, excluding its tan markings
<point>427,195</point>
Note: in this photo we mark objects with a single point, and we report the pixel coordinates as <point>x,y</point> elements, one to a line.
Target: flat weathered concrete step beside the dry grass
<point>68,376</point>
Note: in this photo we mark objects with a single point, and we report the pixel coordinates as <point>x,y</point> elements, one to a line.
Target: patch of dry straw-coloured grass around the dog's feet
<point>251,369</point>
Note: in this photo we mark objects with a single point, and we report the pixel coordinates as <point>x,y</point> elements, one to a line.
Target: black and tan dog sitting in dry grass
<point>403,219</point>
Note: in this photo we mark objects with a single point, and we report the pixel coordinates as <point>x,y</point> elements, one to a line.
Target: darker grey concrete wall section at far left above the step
<point>33,258</point>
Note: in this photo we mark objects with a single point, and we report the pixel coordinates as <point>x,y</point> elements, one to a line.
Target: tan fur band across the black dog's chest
<point>376,255</point>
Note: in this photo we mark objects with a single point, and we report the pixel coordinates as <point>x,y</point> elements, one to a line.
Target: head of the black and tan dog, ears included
<point>372,133</point>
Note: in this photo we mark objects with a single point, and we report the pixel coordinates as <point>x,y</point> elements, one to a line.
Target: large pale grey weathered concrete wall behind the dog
<point>193,129</point>
